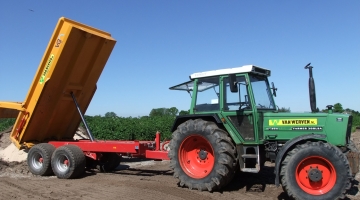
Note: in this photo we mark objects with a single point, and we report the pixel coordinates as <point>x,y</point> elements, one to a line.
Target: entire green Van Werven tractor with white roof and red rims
<point>235,125</point>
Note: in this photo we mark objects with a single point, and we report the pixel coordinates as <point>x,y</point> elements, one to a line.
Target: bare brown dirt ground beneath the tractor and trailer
<point>136,179</point>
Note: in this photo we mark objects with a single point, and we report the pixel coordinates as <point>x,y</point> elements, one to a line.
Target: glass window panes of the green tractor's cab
<point>208,95</point>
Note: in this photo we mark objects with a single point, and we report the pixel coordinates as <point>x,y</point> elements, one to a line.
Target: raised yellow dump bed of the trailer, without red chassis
<point>72,63</point>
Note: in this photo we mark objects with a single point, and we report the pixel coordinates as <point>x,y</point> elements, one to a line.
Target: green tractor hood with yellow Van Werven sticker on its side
<point>285,126</point>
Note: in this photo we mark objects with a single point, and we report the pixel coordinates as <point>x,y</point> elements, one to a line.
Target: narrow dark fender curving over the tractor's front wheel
<point>287,147</point>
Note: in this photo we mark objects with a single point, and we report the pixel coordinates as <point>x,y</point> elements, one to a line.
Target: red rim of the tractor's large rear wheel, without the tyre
<point>196,156</point>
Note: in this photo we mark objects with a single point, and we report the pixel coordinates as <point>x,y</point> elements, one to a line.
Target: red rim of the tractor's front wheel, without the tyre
<point>315,164</point>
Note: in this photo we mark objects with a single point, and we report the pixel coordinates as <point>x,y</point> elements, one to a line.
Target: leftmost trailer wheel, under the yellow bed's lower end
<point>39,159</point>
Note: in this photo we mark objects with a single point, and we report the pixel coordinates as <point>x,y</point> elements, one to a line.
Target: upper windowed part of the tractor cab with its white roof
<point>212,90</point>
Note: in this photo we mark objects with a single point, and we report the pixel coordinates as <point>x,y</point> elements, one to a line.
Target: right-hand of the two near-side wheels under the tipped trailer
<point>68,162</point>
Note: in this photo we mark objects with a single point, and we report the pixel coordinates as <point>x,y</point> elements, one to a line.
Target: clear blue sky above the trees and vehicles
<point>161,42</point>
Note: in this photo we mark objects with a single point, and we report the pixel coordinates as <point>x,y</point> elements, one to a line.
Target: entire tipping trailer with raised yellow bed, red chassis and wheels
<point>60,93</point>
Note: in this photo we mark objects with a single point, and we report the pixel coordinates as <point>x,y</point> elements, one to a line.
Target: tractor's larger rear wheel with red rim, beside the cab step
<point>202,155</point>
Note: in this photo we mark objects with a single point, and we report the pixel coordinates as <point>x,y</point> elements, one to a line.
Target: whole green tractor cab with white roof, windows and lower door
<point>237,96</point>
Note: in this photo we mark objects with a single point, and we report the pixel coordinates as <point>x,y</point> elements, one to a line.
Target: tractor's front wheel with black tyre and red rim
<point>315,170</point>
